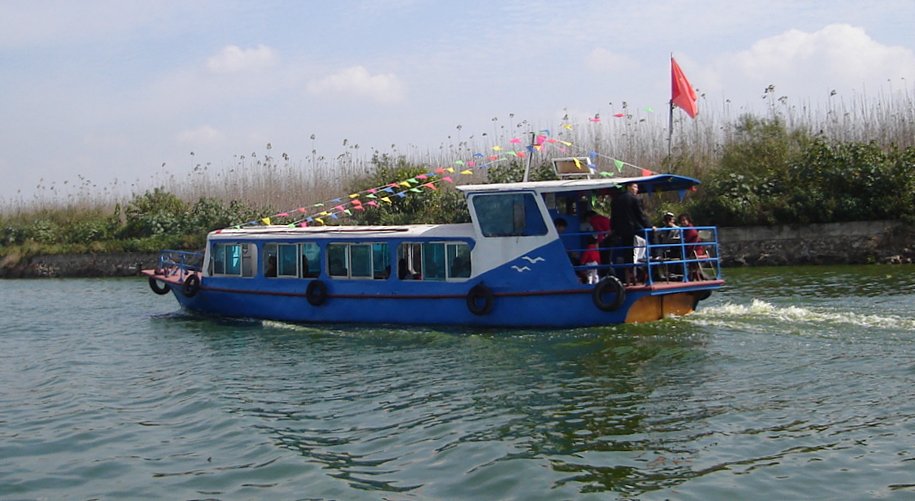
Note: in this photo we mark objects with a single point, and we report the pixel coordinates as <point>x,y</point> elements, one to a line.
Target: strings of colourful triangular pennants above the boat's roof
<point>325,212</point>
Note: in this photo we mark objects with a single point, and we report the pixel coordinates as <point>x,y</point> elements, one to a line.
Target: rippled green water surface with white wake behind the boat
<point>791,383</point>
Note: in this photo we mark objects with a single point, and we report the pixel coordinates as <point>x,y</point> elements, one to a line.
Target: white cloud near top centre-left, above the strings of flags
<point>358,82</point>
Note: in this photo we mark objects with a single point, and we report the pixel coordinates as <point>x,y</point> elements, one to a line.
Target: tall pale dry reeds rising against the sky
<point>638,137</point>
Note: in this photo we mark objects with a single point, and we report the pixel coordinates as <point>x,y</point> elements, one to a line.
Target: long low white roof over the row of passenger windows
<point>347,232</point>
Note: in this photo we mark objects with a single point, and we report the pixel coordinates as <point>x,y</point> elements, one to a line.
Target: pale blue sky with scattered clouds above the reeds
<point>116,91</point>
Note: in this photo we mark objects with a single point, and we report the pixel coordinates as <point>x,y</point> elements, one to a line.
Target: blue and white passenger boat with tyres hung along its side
<point>509,267</point>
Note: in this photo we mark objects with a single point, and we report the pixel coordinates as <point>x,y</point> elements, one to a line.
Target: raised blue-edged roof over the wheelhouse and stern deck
<point>657,182</point>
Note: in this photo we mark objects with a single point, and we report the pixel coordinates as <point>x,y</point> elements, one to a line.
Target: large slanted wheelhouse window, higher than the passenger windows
<point>509,215</point>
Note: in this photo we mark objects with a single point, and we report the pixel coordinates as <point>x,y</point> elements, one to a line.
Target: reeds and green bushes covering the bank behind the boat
<point>794,165</point>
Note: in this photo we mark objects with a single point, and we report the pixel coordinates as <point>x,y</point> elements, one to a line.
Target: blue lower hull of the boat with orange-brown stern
<point>558,308</point>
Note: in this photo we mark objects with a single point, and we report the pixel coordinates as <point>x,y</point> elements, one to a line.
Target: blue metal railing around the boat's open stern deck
<point>663,257</point>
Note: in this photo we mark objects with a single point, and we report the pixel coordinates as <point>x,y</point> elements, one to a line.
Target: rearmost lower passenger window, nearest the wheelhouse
<point>437,261</point>
